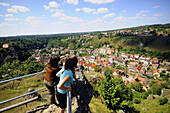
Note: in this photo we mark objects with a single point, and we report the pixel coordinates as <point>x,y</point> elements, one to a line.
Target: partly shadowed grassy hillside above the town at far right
<point>151,43</point>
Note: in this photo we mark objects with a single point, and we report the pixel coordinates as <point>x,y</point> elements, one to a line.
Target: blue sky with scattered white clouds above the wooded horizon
<point>30,17</point>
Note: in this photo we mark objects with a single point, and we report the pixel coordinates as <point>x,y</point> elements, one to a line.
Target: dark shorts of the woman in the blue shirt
<point>62,99</point>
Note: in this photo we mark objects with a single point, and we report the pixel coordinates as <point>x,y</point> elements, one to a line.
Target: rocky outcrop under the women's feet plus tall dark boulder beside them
<point>81,95</point>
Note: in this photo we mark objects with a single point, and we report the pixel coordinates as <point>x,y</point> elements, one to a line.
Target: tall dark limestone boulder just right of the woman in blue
<point>82,92</point>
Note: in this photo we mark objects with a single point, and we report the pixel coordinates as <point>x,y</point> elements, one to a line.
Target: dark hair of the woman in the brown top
<point>53,62</point>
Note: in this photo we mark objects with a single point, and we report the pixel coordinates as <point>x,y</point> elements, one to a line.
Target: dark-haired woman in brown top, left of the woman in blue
<point>51,80</point>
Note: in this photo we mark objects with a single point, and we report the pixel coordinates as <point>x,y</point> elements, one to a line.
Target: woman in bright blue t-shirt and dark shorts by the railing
<point>65,79</point>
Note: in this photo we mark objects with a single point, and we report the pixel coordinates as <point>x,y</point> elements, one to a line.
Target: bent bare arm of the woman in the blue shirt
<point>61,84</point>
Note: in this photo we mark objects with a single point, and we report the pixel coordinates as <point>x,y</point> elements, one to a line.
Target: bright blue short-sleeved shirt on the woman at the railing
<point>65,73</point>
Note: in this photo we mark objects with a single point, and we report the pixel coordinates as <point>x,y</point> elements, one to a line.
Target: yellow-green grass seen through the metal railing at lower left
<point>6,92</point>
